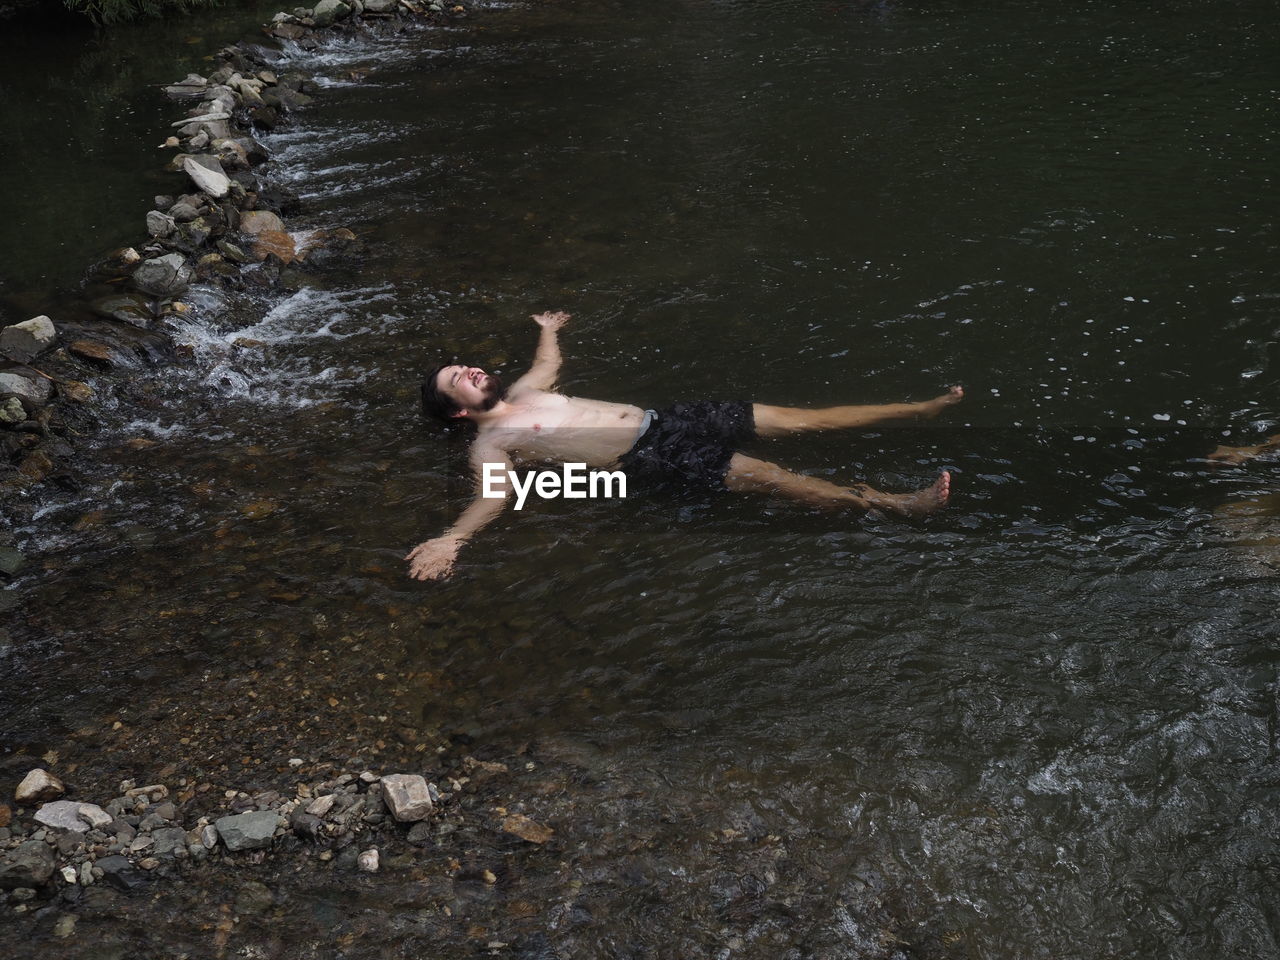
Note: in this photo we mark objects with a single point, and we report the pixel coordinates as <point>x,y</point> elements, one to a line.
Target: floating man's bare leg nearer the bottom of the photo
<point>751,476</point>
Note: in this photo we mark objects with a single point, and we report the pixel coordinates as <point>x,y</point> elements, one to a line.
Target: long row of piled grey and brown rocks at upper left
<point>225,227</point>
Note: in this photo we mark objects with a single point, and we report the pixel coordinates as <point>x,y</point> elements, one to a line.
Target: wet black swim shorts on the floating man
<point>688,447</point>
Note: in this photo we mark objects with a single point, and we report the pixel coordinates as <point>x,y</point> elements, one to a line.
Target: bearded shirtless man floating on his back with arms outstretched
<point>689,446</point>
